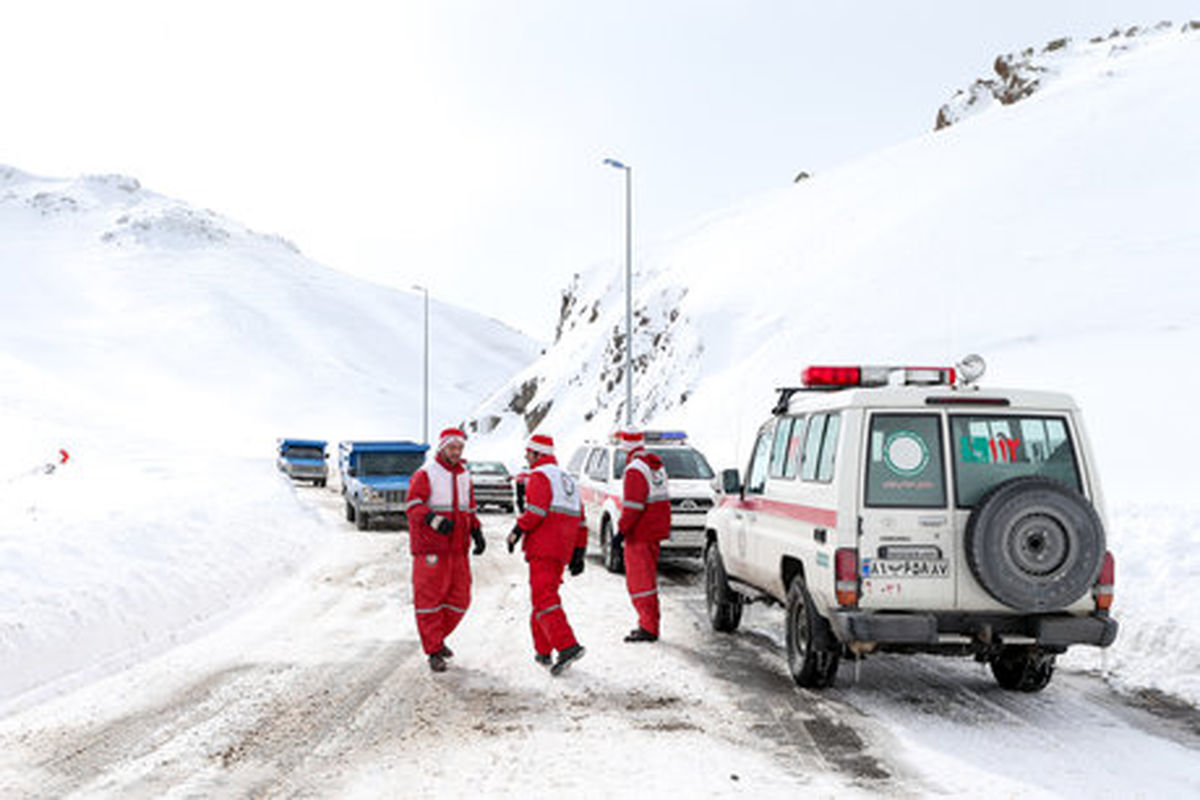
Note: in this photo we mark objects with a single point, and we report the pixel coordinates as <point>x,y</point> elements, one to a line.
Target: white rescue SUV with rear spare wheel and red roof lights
<point>895,509</point>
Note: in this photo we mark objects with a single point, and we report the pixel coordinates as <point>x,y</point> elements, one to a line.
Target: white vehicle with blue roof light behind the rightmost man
<point>599,468</point>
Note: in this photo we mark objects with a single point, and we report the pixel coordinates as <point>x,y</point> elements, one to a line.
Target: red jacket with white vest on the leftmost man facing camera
<point>446,491</point>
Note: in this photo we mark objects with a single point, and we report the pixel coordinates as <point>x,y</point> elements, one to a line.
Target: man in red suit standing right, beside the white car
<point>645,522</point>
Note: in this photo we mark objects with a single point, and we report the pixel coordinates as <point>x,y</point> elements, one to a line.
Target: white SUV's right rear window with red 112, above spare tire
<point>989,450</point>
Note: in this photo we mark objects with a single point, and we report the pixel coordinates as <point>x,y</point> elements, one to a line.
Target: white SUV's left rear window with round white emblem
<point>905,467</point>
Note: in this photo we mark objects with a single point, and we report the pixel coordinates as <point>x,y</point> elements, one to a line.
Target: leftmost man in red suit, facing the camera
<point>441,524</point>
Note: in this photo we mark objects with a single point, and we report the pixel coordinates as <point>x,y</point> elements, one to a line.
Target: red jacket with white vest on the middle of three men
<point>553,522</point>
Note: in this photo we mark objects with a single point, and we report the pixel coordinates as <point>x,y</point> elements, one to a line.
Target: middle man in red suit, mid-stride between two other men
<point>555,538</point>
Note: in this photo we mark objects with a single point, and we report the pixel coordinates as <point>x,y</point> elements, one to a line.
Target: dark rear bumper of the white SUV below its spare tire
<point>933,630</point>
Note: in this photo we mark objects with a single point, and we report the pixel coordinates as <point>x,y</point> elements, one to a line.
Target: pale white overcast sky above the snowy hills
<point>459,143</point>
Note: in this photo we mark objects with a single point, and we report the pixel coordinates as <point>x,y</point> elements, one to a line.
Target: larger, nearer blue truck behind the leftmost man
<point>375,478</point>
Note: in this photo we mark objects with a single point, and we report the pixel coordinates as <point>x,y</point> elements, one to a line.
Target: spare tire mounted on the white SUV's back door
<point>1035,545</point>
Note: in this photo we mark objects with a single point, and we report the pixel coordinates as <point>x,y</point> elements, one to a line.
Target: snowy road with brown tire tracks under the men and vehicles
<point>323,693</point>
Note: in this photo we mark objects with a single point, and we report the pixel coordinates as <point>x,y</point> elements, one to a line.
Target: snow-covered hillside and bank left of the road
<point>165,348</point>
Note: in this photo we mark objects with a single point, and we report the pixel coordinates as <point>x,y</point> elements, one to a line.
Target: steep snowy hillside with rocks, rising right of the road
<point>1058,237</point>
